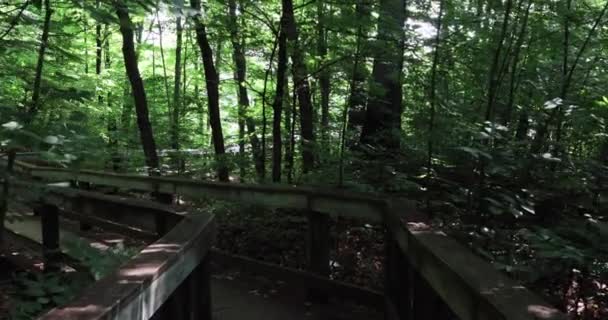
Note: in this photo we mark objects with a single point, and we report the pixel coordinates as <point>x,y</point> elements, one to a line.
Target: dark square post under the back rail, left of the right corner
<point>318,251</point>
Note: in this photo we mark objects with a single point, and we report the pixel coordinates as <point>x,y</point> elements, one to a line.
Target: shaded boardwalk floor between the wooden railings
<point>235,294</point>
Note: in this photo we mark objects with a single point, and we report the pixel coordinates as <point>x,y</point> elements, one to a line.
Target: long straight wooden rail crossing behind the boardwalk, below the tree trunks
<point>335,203</point>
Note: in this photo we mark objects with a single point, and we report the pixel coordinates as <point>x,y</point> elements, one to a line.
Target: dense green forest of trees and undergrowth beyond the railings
<point>488,117</point>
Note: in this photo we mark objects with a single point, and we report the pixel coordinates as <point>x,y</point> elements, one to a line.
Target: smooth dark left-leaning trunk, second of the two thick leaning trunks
<point>212,81</point>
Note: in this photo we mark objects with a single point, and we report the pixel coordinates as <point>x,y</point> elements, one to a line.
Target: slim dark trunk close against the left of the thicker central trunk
<point>277,105</point>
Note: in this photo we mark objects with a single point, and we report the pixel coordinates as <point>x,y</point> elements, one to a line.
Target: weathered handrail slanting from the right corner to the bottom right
<point>468,285</point>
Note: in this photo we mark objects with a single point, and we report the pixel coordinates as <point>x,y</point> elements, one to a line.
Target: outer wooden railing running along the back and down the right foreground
<point>429,275</point>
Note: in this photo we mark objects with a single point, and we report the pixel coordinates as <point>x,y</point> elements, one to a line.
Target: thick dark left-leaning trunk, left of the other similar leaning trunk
<point>137,89</point>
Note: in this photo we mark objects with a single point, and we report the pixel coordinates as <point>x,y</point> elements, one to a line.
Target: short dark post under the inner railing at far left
<point>49,215</point>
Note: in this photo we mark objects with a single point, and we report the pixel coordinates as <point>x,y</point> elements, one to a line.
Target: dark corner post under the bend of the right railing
<point>397,276</point>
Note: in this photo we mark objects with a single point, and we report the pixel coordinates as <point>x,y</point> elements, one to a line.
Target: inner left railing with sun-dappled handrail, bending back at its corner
<point>169,279</point>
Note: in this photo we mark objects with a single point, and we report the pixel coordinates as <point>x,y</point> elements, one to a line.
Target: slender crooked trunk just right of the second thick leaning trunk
<point>238,55</point>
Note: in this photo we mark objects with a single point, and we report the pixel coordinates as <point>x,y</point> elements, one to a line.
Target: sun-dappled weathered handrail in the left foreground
<point>139,288</point>
